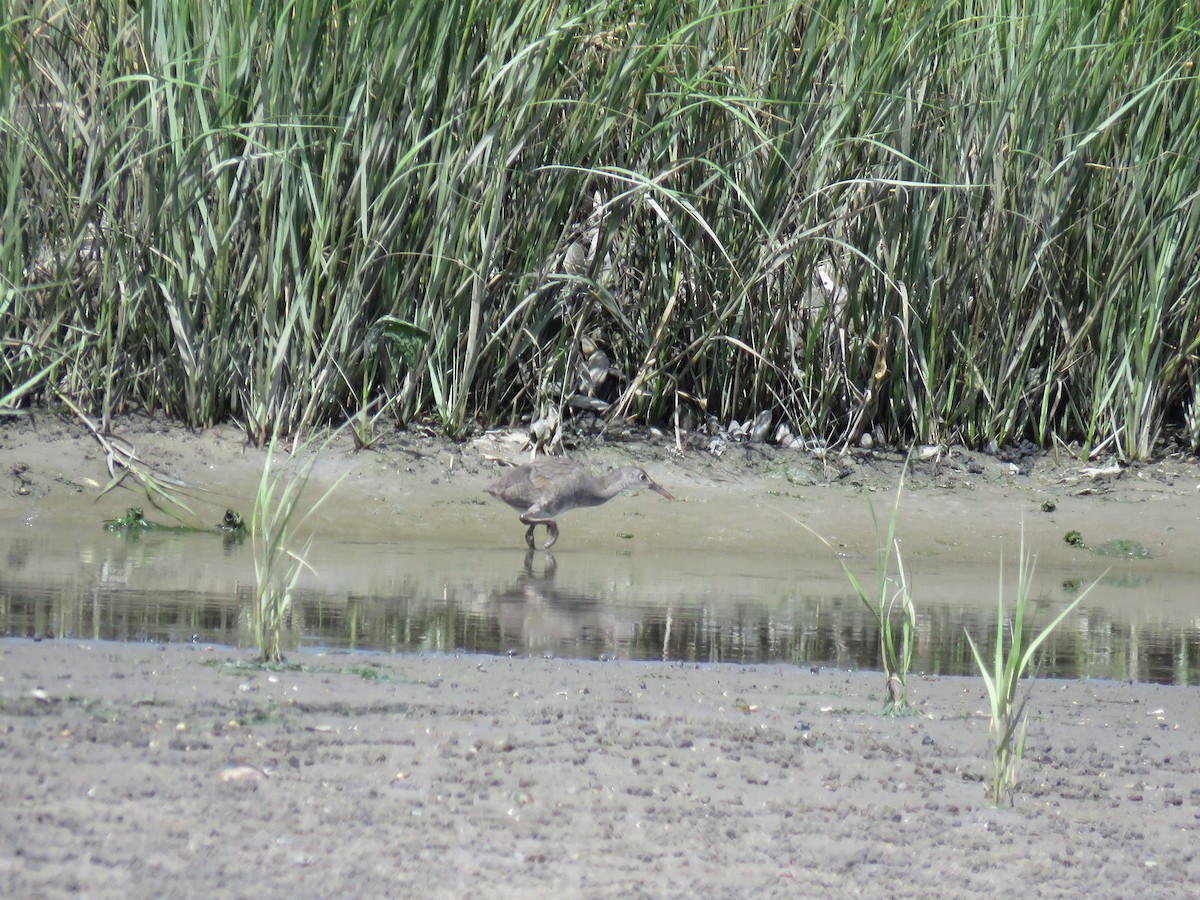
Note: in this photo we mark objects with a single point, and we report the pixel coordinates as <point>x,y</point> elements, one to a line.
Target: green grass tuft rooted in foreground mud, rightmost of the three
<point>1011,675</point>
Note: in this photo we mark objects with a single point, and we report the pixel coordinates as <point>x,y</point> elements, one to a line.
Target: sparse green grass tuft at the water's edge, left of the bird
<point>279,514</point>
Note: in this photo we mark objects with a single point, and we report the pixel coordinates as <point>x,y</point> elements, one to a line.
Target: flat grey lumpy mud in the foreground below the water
<point>140,771</point>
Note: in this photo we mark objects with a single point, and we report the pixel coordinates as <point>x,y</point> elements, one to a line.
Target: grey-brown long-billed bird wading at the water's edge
<point>543,489</point>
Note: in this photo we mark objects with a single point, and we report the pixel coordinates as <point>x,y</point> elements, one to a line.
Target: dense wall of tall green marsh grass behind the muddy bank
<point>933,221</point>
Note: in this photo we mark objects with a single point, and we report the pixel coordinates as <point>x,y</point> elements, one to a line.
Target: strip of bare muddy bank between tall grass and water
<point>959,505</point>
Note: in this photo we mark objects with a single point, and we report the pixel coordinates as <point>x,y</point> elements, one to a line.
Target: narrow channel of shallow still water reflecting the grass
<point>622,603</point>
